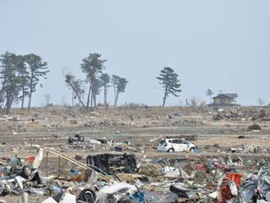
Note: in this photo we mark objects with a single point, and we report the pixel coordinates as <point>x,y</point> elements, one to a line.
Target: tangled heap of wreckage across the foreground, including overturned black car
<point>56,177</point>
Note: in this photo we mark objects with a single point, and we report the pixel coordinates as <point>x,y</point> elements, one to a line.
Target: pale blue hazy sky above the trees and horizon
<point>217,44</point>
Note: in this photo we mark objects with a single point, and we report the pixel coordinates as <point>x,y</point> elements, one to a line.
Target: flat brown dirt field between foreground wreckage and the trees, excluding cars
<point>142,127</point>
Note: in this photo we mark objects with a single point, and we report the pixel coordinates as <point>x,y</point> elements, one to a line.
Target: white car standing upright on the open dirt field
<point>176,145</point>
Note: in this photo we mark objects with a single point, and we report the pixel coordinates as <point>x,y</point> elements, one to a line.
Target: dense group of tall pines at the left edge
<point>19,76</point>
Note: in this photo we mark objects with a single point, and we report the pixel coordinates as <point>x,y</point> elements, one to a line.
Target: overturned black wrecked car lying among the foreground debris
<point>111,163</point>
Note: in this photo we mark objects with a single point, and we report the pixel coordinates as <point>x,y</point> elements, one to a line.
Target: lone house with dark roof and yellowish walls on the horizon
<point>225,101</point>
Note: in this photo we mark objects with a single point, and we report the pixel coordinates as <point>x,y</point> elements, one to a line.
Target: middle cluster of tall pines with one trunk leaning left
<point>96,80</point>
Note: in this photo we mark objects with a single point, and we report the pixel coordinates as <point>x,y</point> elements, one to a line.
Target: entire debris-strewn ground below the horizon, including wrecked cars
<point>135,154</point>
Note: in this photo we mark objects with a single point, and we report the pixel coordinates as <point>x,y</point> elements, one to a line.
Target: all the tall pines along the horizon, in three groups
<point>20,75</point>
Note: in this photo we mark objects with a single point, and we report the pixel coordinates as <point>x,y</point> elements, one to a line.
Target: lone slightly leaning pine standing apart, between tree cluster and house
<point>170,83</point>
